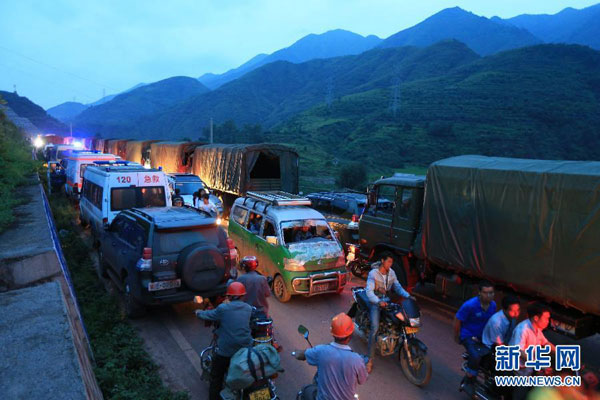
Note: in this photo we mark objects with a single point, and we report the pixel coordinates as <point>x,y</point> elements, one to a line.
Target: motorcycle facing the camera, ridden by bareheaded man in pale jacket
<point>398,326</point>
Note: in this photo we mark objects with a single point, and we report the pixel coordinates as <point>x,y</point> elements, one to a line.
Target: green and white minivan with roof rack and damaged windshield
<point>293,243</point>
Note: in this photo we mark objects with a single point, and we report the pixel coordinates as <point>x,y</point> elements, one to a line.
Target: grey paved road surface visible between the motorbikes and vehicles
<point>175,337</point>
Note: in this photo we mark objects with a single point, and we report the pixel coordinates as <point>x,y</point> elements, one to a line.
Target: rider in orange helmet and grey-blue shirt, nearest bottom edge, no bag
<point>339,369</point>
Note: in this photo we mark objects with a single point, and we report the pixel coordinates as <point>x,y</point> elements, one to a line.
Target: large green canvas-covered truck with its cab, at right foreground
<point>529,226</point>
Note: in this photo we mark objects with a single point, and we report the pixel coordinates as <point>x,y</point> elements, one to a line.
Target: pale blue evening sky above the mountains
<point>60,50</point>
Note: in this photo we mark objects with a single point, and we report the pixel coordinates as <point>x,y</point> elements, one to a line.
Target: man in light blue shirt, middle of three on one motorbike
<point>501,325</point>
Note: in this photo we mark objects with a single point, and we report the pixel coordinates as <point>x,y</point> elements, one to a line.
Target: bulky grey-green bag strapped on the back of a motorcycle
<point>250,364</point>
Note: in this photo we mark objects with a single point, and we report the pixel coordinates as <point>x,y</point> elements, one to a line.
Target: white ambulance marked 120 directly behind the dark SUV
<point>111,187</point>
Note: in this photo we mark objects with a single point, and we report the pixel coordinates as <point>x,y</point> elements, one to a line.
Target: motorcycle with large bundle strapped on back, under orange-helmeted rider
<point>263,389</point>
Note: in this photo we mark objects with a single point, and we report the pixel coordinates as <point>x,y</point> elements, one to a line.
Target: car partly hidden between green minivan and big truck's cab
<point>342,211</point>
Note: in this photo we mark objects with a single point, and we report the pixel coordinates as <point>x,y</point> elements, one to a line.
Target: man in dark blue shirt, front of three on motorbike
<point>468,327</point>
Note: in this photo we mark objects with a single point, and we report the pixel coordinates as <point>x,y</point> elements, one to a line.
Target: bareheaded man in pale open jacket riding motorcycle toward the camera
<point>380,281</point>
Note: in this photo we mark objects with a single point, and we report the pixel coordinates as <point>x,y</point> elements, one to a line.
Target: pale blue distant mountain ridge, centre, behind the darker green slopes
<point>333,43</point>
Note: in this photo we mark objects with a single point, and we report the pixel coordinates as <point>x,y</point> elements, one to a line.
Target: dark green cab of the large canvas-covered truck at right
<point>391,220</point>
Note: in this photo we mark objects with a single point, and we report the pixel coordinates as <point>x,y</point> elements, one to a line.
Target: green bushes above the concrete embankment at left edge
<point>17,166</point>
